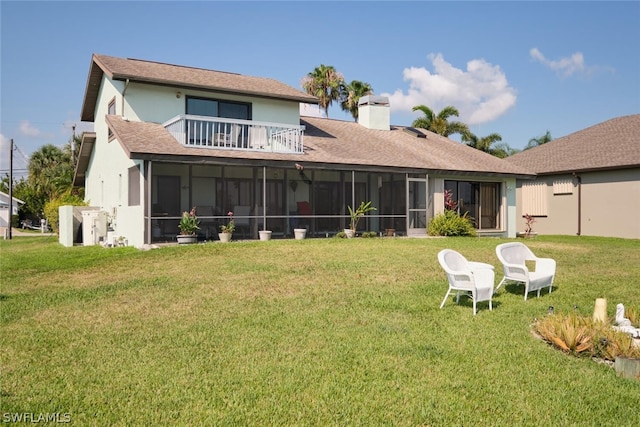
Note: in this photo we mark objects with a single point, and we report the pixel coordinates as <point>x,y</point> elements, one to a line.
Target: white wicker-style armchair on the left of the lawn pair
<point>474,279</point>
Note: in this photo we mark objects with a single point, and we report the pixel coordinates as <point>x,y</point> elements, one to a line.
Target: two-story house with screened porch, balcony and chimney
<point>168,138</point>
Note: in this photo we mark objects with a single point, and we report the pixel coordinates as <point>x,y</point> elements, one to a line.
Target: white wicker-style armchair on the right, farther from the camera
<point>514,256</point>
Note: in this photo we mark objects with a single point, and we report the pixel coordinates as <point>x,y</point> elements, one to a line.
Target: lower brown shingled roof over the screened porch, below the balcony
<point>327,143</point>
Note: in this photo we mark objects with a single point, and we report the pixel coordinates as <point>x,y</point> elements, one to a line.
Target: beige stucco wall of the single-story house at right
<point>606,203</point>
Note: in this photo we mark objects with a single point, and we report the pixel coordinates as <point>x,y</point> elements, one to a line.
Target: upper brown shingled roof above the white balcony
<point>136,70</point>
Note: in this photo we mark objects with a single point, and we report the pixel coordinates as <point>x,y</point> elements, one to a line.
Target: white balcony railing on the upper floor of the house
<point>233,134</point>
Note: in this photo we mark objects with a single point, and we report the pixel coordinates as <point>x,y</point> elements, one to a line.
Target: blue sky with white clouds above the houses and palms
<point>512,67</point>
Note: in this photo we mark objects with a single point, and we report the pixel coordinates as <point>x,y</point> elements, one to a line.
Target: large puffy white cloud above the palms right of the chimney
<point>481,93</point>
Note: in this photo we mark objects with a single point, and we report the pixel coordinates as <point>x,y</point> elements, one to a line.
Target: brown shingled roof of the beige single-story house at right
<point>613,144</point>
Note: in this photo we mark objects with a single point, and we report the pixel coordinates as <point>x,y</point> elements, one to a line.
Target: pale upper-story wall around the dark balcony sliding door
<point>158,104</point>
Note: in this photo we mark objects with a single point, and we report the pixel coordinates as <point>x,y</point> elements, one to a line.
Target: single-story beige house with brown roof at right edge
<point>588,182</point>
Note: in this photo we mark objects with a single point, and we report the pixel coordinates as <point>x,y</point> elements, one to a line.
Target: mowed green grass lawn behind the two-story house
<point>302,332</point>
